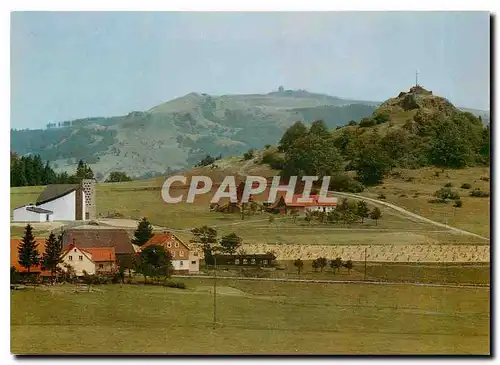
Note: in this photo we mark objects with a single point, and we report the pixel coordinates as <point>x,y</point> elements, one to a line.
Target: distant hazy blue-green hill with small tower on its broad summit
<point>179,133</point>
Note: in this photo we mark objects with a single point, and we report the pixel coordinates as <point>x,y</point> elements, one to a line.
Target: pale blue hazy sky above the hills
<point>74,65</point>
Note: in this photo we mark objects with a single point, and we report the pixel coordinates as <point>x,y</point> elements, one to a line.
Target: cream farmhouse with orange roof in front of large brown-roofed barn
<point>90,260</point>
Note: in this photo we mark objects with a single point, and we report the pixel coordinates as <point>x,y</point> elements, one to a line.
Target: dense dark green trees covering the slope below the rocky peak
<point>455,140</point>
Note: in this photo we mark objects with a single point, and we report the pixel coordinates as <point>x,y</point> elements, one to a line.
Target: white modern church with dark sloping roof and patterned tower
<point>60,202</point>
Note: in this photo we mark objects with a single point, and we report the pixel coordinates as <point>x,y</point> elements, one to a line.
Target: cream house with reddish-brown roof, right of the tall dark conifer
<point>184,260</point>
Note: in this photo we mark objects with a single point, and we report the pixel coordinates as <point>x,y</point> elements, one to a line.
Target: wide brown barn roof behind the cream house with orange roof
<point>99,238</point>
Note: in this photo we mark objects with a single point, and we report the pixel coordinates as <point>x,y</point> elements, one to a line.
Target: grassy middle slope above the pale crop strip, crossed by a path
<point>143,198</point>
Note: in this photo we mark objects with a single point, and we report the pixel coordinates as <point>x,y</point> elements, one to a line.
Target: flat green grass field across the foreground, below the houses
<point>253,318</point>
